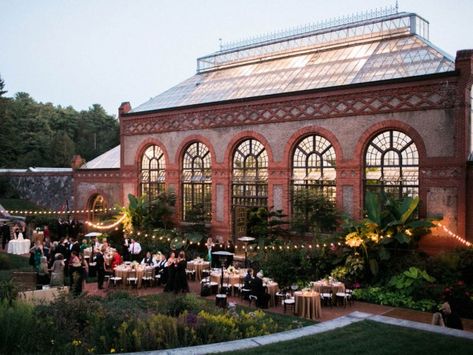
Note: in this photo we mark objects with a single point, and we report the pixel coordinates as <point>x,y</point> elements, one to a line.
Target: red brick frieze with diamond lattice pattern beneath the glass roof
<point>434,96</point>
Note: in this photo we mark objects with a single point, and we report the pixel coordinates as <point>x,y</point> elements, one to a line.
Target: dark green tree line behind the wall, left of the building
<point>44,135</point>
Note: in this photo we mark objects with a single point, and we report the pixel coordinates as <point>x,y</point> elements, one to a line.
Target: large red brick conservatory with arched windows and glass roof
<point>367,103</point>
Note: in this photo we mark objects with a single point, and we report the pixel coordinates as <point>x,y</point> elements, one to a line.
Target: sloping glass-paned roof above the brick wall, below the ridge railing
<point>396,56</point>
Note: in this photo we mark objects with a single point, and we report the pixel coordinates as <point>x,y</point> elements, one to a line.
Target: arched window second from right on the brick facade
<point>313,166</point>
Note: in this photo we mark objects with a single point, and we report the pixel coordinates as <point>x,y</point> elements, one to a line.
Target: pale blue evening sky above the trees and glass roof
<point>80,53</point>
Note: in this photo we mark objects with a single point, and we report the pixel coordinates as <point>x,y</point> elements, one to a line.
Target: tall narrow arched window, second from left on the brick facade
<point>196,183</point>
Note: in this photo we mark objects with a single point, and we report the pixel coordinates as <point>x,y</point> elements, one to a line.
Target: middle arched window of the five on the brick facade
<point>250,175</point>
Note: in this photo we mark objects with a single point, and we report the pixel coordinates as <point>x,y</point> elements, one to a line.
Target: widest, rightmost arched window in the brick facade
<point>392,165</point>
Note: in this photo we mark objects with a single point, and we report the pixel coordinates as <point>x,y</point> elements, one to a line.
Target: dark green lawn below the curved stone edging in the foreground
<point>369,337</point>
